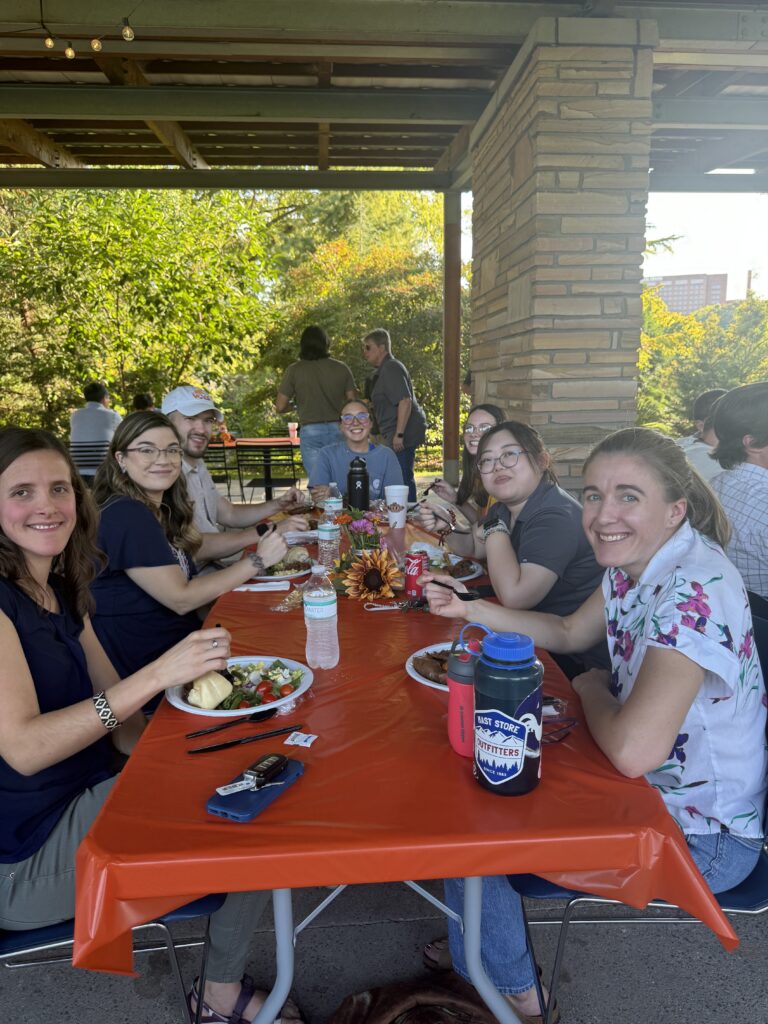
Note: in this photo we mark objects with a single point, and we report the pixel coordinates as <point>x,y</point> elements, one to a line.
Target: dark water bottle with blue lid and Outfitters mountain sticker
<point>508,714</point>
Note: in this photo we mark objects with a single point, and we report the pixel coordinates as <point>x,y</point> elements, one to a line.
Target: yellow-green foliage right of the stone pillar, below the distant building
<point>681,356</point>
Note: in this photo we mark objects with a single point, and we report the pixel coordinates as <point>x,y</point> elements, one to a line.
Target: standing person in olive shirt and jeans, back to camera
<point>320,387</point>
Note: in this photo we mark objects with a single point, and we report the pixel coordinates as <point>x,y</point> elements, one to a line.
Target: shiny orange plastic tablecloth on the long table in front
<point>383,798</point>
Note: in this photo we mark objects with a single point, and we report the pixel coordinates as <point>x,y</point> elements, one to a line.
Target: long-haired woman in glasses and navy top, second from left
<point>148,595</point>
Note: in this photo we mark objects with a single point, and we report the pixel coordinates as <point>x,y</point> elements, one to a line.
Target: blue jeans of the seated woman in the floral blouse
<point>724,861</point>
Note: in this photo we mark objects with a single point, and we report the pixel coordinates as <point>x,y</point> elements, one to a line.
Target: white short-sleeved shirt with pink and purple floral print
<point>692,599</point>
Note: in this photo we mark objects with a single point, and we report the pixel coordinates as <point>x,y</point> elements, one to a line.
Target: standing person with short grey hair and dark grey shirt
<point>399,415</point>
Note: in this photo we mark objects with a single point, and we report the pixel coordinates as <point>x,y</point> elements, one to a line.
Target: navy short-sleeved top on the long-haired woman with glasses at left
<point>134,628</point>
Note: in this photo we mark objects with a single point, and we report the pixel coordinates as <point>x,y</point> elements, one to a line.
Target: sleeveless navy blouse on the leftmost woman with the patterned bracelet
<point>32,805</point>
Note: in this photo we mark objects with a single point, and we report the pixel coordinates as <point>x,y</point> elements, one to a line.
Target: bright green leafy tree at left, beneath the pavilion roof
<point>143,289</point>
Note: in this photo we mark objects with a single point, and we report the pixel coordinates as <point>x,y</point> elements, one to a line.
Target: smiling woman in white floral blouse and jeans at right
<point>685,703</point>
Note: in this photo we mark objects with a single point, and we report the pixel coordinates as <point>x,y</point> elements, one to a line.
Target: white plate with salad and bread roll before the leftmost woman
<point>251,684</point>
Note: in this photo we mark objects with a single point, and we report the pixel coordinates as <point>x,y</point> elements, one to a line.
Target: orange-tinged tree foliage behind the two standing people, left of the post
<point>379,264</point>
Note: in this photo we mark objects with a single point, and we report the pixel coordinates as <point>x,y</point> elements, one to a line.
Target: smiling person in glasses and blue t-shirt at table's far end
<point>333,461</point>
